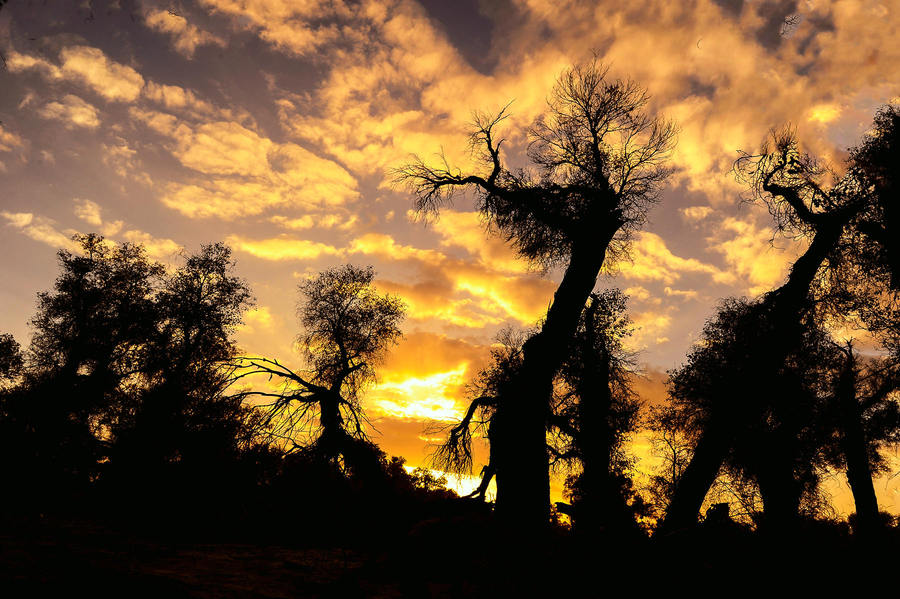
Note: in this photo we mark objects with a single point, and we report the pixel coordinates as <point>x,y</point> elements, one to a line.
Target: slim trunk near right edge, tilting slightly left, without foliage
<point>853,445</point>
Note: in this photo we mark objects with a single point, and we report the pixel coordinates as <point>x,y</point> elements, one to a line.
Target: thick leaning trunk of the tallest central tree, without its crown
<point>523,480</point>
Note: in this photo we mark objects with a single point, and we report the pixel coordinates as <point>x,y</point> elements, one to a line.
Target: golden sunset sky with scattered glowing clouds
<point>274,125</point>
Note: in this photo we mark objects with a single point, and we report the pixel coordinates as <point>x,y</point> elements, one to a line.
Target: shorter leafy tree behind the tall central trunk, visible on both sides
<point>591,416</point>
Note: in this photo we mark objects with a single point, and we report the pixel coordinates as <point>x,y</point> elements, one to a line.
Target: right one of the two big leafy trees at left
<point>184,411</point>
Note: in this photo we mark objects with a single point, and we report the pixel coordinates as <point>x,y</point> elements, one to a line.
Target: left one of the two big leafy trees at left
<point>89,346</point>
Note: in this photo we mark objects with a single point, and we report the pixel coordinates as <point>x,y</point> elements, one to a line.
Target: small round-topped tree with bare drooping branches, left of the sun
<point>347,329</point>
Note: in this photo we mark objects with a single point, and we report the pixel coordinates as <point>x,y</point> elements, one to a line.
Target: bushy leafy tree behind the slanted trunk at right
<point>778,449</point>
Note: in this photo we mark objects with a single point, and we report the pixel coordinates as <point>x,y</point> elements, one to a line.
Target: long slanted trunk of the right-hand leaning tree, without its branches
<point>783,309</point>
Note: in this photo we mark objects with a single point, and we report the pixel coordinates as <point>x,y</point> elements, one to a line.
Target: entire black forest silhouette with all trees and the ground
<point>133,420</point>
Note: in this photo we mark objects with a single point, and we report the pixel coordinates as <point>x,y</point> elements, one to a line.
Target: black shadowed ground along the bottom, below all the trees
<point>71,557</point>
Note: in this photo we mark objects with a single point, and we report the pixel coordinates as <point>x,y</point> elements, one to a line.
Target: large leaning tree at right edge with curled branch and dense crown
<point>848,225</point>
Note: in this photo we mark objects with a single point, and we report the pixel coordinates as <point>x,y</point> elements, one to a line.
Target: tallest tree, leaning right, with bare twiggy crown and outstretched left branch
<point>597,166</point>
